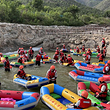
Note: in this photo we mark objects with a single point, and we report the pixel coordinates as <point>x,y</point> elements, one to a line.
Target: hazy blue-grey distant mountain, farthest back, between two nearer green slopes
<point>90,3</point>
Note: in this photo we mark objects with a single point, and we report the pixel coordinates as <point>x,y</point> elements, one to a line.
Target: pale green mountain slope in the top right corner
<point>104,5</point>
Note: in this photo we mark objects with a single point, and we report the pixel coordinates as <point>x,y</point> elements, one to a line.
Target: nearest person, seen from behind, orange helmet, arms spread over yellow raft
<point>83,102</point>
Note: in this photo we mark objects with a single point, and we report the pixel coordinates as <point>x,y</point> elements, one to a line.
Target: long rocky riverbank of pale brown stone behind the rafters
<point>13,36</point>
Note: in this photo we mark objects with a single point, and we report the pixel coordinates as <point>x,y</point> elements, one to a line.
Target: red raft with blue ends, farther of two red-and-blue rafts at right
<point>86,67</point>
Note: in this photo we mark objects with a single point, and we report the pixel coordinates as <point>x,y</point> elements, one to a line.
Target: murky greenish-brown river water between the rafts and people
<point>6,78</point>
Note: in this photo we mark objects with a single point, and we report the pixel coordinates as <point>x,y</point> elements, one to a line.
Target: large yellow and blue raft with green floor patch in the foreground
<point>57,97</point>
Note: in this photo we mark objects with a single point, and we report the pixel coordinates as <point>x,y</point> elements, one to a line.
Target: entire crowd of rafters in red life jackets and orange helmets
<point>60,57</point>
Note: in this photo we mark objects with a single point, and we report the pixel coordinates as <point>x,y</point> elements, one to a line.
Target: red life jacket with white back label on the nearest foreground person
<point>84,103</point>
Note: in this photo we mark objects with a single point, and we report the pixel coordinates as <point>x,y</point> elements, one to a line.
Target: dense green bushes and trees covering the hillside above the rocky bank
<point>50,12</point>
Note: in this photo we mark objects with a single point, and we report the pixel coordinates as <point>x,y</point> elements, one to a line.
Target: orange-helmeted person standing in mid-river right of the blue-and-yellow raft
<point>52,74</point>
